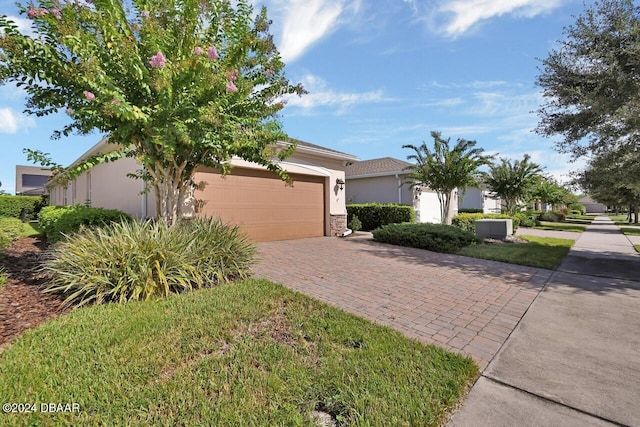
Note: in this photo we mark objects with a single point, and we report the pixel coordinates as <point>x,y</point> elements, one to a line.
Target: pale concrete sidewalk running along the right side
<point>573,359</point>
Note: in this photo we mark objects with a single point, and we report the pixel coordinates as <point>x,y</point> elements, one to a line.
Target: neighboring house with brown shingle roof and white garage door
<point>386,180</point>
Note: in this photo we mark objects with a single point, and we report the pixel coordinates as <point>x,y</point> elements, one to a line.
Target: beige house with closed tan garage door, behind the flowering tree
<point>264,206</point>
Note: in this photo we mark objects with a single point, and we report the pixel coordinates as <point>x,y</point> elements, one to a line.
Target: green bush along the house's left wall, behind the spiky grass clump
<point>58,221</point>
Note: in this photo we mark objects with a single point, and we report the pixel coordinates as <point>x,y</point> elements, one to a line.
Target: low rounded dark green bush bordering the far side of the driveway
<point>432,237</point>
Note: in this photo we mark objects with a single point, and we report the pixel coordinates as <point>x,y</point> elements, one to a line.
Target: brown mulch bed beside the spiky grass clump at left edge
<point>22,304</point>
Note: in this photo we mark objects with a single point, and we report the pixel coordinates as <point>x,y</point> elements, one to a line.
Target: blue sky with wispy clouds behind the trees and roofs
<point>381,74</point>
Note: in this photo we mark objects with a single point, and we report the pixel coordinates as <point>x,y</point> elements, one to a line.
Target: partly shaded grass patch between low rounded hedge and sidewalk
<point>543,252</point>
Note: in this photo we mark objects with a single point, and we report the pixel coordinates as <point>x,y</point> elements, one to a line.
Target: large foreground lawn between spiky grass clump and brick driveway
<point>251,353</point>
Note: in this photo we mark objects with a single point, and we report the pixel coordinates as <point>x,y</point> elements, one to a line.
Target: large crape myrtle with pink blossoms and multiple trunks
<point>174,83</point>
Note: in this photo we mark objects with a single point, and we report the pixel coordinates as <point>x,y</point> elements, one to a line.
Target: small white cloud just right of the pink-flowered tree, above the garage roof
<point>320,95</point>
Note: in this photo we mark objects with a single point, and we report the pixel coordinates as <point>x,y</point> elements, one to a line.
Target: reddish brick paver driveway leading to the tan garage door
<point>463,304</point>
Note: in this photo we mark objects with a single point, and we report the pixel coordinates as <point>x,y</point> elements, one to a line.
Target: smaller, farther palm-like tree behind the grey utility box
<point>513,182</point>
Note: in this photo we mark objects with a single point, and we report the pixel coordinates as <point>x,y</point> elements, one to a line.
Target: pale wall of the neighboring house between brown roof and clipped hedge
<point>380,189</point>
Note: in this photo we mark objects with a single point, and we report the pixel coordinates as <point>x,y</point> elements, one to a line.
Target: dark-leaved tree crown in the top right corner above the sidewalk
<point>591,81</point>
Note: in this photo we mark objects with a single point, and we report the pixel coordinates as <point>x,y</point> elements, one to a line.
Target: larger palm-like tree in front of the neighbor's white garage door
<point>445,169</point>
